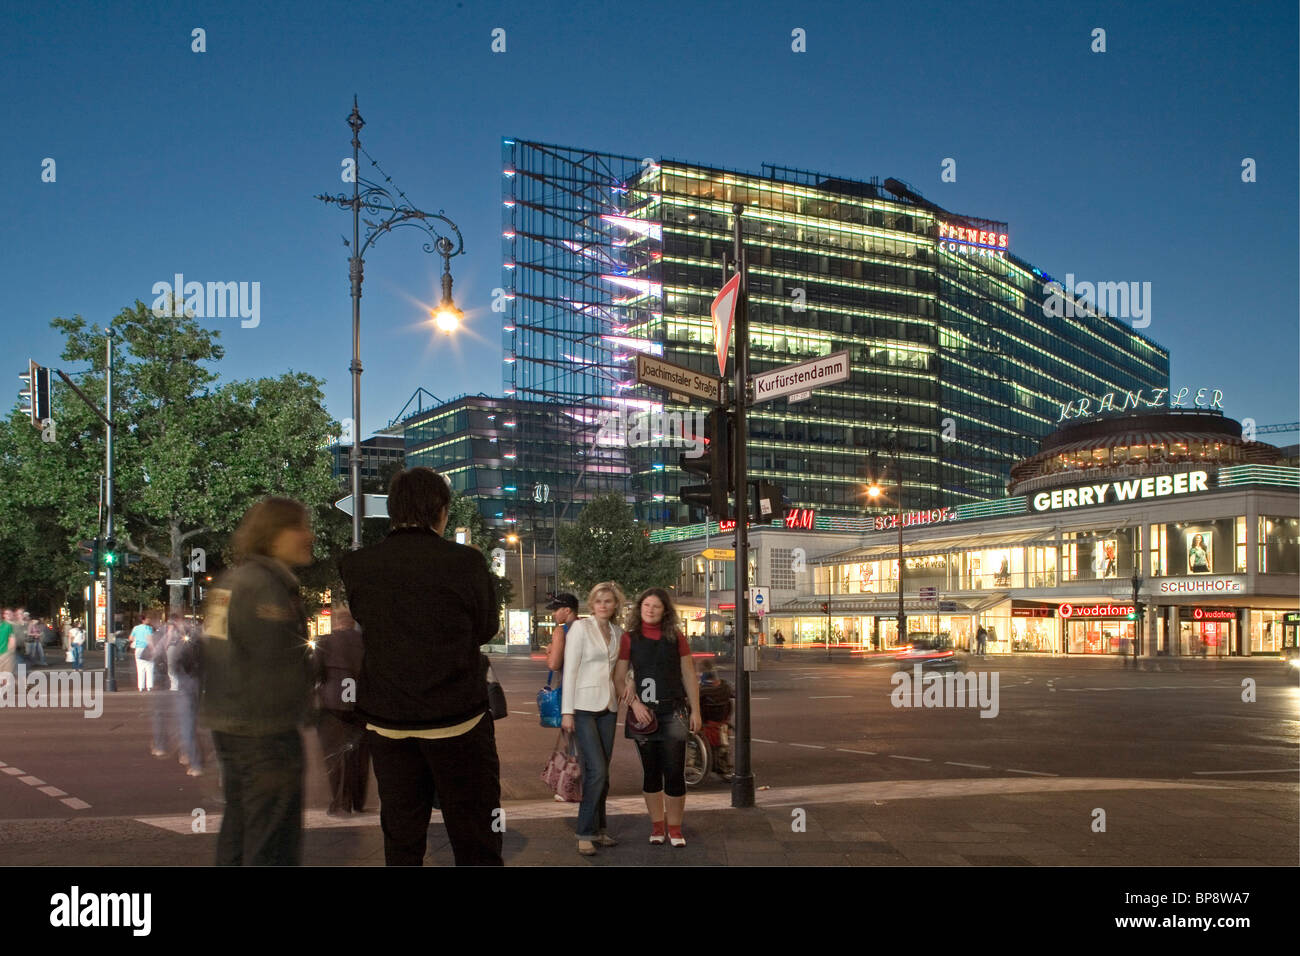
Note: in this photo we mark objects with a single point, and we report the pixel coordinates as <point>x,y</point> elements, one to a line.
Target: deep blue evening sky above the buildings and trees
<point>1117,167</point>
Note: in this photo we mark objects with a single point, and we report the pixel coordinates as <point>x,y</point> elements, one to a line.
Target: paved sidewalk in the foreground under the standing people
<point>1019,823</point>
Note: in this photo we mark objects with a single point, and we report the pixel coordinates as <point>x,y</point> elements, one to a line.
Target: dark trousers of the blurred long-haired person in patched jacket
<point>263,782</point>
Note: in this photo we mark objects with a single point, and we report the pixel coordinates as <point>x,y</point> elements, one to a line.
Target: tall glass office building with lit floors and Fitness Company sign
<point>951,344</point>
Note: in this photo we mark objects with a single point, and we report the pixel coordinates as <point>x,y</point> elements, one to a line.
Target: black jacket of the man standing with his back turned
<point>426,607</point>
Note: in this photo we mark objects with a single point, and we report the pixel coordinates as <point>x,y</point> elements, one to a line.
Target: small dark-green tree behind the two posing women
<point>606,544</point>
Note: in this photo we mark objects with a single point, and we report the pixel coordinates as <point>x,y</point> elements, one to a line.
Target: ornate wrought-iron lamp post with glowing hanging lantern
<point>396,211</point>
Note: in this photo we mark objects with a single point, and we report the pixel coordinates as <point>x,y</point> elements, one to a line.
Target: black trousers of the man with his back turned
<point>466,775</point>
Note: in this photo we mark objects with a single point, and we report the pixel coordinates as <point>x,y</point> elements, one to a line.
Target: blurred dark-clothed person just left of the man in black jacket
<point>343,734</point>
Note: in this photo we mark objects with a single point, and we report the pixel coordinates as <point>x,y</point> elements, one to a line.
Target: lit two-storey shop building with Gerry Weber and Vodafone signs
<point>1216,551</point>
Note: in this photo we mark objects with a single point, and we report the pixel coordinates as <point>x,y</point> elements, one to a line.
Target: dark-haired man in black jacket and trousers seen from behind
<point>426,605</point>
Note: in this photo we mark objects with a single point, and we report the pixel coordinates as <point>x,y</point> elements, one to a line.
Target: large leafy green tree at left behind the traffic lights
<point>190,457</point>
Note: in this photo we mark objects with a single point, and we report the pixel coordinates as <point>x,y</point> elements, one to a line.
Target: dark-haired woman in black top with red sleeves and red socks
<point>666,687</point>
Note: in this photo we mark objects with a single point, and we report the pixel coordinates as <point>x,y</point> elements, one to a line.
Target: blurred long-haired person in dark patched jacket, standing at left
<point>258,684</point>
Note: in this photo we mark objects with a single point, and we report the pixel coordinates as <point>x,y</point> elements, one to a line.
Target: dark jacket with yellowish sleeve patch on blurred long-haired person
<point>258,669</point>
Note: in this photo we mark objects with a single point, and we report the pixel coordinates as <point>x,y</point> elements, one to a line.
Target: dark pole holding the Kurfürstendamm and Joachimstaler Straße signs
<point>743,785</point>
